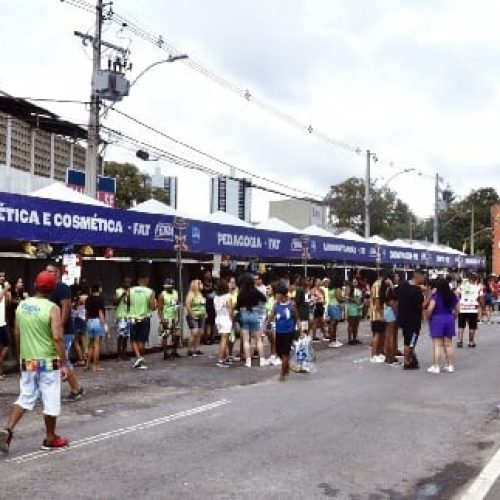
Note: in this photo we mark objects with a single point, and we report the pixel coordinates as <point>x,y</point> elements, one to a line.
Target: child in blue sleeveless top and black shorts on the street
<point>287,322</point>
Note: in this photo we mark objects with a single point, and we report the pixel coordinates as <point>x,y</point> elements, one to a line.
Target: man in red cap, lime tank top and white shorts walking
<point>39,334</point>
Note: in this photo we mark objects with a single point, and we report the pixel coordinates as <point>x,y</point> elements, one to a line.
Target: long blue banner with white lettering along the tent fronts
<point>26,218</point>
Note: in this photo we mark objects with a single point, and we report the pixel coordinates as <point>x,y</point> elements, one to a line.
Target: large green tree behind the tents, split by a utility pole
<point>390,217</point>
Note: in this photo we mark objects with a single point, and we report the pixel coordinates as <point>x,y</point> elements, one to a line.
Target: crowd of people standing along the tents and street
<point>60,320</point>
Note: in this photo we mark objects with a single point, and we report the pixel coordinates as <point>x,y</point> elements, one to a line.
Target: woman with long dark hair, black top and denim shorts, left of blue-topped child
<point>249,301</point>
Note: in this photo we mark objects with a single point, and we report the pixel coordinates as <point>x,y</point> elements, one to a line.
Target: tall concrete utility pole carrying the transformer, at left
<point>95,101</point>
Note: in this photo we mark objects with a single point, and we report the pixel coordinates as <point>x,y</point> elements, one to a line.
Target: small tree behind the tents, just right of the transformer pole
<point>132,185</point>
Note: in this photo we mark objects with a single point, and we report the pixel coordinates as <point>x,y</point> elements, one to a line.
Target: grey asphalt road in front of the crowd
<point>352,430</point>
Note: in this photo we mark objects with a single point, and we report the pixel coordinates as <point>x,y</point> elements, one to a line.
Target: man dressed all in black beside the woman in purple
<point>410,300</point>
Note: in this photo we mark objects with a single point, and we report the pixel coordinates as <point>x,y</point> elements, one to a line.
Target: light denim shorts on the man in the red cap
<point>41,385</point>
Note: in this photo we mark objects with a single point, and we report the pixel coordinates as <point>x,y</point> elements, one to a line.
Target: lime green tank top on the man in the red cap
<point>33,317</point>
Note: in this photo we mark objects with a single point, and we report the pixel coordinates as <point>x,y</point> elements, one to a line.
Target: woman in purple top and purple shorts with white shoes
<point>441,311</point>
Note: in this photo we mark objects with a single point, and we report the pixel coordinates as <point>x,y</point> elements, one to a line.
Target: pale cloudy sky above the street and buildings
<point>415,81</point>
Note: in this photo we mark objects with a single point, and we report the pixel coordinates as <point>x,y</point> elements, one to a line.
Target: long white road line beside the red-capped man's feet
<point>119,432</point>
